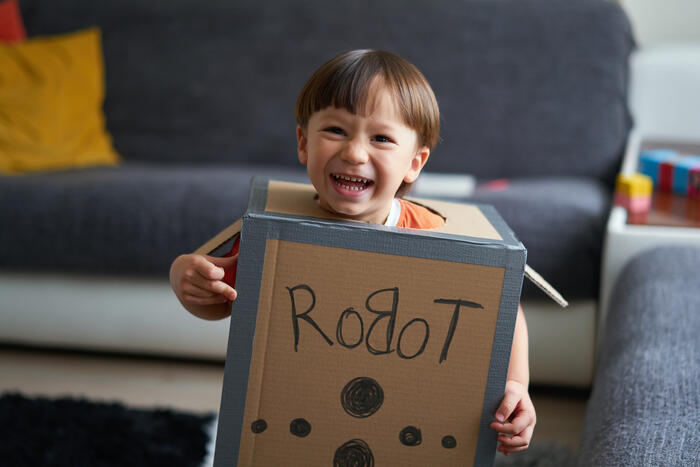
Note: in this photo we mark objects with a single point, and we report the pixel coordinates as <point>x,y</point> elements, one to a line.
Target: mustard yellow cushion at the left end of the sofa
<point>51,95</point>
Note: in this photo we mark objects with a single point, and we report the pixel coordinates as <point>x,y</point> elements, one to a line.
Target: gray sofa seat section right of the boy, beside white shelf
<point>561,222</point>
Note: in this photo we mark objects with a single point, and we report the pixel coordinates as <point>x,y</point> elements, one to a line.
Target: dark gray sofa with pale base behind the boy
<point>199,97</point>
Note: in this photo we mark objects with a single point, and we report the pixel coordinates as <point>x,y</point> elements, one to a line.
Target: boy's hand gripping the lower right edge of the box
<point>515,419</point>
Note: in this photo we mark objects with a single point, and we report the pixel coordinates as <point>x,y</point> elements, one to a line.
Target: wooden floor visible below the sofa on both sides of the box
<point>196,386</point>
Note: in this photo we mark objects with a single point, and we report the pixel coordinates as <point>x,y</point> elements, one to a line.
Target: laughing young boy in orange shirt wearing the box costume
<point>367,121</point>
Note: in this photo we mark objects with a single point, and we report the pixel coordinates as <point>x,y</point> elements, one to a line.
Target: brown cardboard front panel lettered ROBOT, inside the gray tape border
<point>439,398</point>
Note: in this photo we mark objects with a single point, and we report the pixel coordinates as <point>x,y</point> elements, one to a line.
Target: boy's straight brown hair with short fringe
<point>344,82</point>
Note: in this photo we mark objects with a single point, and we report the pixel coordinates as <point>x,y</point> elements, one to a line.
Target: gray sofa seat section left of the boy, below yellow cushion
<point>132,219</point>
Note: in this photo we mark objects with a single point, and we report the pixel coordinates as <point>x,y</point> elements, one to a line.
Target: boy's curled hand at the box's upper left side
<point>197,279</point>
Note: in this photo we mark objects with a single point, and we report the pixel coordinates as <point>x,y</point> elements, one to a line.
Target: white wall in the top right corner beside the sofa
<point>657,21</point>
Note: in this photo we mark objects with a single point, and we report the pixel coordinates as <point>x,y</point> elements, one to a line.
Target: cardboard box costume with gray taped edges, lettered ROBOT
<point>360,344</point>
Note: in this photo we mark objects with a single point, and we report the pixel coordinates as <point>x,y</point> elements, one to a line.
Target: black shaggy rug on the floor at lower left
<point>76,432</point>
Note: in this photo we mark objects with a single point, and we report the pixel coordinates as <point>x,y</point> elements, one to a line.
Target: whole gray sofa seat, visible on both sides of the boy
<point>137,218</point>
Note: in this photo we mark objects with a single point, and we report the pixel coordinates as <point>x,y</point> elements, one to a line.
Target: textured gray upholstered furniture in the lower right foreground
<point>645,405</point>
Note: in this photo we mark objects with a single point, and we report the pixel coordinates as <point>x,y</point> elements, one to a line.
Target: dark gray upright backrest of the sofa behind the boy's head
<point>525,87</point>
